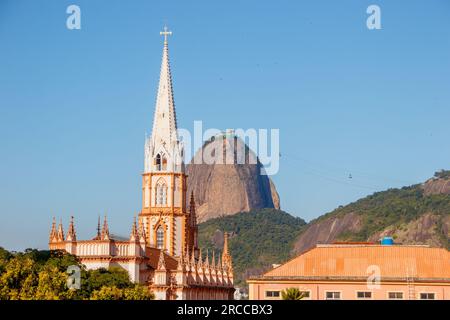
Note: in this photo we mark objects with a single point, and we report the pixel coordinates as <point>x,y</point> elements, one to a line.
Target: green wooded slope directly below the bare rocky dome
<point>257,239</point>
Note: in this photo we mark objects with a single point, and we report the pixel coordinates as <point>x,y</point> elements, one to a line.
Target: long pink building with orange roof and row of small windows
<point>360,271</point>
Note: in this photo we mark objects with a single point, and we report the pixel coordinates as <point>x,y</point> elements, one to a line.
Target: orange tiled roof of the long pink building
<point>352,261</point>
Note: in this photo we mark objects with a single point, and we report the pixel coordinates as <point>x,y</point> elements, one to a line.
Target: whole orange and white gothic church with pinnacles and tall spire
<point>162,250</point>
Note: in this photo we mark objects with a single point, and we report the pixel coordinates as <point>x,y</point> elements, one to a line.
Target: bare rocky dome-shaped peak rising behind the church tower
<point>225,176</point>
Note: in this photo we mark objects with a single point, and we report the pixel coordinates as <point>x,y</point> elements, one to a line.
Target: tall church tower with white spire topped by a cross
<point>164,216</point>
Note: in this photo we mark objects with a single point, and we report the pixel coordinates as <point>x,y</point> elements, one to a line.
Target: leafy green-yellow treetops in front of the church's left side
<point>42,275</point>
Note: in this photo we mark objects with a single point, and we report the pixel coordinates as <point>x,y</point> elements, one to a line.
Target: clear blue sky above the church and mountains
<point>74,105</point>
